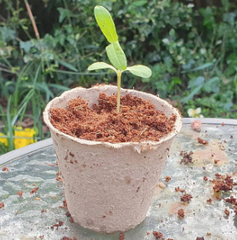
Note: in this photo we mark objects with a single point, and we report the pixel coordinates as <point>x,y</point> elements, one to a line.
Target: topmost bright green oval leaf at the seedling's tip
<point>106,23</point>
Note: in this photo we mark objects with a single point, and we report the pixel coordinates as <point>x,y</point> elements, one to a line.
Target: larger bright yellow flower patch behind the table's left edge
<point>23,137</point>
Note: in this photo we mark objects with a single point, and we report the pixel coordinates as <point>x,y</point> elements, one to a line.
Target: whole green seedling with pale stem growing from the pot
<point>114,52</point>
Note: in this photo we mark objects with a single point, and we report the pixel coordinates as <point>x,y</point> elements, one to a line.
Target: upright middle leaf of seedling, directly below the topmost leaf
<point>116,56</point>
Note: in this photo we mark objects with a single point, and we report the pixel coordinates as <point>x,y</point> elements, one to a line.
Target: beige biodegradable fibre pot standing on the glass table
<point>109,186</point>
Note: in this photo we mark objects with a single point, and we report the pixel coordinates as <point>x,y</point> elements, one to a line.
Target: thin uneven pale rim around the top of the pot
<point>177,126</point>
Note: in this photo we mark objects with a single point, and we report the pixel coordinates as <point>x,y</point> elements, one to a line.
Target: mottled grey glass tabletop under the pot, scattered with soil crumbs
<point>40,215</point>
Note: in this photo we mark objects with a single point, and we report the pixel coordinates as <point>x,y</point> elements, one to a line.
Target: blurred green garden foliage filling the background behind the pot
<point>191,47</point>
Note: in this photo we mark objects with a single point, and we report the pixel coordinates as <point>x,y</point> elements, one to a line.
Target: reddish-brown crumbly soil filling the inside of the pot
<point>137,121</point>
